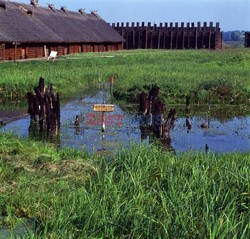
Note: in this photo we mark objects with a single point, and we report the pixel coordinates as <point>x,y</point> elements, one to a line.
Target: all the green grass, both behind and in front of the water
<point>142,192</point>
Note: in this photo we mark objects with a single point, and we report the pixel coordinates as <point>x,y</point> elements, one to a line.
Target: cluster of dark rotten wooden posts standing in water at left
<point>44,109</point>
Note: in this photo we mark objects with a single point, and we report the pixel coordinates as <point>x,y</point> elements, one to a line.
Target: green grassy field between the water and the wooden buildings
<point>224,73</point>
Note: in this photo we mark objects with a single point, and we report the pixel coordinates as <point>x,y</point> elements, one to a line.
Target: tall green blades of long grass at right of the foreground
<point>147,193</point>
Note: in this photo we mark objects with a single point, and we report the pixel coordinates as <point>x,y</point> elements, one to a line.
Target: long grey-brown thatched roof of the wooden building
<point>34,24</point>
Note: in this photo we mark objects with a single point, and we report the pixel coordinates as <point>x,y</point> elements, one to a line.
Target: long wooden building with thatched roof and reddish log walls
<point>31,31</point>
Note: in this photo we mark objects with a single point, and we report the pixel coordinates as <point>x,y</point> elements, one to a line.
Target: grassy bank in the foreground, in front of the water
<point>143,193</point>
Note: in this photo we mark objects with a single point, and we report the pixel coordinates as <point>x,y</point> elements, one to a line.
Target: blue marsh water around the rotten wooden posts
<point>229,128</point>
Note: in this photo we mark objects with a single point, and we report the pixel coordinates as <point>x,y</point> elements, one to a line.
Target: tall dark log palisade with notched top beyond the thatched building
<point>170,35</point>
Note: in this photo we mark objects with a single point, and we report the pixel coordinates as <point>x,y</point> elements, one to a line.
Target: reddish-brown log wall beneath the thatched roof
<point>28,51</point>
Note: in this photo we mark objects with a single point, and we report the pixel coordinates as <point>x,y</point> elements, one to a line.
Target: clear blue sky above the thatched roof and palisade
<point>232,14</point>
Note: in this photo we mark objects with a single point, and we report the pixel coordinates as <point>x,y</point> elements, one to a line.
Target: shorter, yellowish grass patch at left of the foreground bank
<point>36,178</point>
